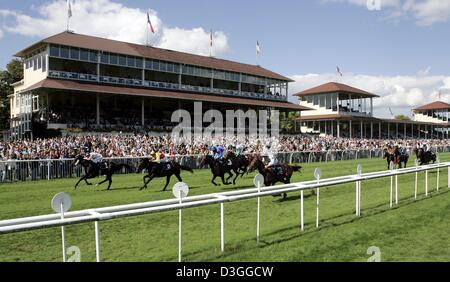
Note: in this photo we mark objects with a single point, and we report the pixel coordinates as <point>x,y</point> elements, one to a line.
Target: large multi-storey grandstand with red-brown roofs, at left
<point>79,81</point>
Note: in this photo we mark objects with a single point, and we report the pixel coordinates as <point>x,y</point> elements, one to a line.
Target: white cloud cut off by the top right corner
<point>424,12</point>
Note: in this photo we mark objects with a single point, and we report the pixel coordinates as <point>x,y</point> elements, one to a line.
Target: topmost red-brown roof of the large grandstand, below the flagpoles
<point>114,46</point>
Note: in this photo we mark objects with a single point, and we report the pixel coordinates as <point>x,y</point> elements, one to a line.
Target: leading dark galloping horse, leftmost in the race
<point>93,170</point>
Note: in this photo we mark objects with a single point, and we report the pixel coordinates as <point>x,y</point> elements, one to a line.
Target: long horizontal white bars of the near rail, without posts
<point>107,213</point>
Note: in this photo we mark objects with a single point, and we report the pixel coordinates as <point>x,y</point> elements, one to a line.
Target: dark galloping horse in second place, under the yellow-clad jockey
<point>158,170</point>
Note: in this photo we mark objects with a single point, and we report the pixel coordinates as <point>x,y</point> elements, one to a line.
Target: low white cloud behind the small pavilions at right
<point>401,93</point>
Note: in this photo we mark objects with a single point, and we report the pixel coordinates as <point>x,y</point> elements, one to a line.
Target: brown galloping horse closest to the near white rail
<point>274,174</point>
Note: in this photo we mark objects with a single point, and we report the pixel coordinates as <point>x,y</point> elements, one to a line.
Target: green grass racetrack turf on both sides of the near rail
<point>413,231</point>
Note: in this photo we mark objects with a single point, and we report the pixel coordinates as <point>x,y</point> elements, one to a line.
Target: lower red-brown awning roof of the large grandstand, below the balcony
<point>108,89</point>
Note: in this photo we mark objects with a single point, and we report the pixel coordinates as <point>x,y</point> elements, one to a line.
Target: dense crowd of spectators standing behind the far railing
<point>140,145</point>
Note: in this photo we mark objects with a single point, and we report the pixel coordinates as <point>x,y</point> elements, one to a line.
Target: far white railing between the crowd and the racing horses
<point>30,170</point>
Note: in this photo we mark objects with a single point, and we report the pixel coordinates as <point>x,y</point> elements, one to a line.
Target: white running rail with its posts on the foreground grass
<point>108,213</point>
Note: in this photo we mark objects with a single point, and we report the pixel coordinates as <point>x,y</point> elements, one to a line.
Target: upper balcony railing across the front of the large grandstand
<point>161,85</point>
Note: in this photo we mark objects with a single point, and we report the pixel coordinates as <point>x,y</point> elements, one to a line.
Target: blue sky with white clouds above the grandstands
<point>398,49</point>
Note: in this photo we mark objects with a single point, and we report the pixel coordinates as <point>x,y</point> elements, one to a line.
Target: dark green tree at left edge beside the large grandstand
<point>12,74</point>
